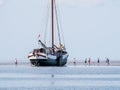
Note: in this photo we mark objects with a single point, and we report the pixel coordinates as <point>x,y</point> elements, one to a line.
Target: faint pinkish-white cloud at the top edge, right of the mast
<point>82,3</point>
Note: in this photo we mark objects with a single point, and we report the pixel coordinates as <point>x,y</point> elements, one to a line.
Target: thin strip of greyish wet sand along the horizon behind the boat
<point>78,63</point>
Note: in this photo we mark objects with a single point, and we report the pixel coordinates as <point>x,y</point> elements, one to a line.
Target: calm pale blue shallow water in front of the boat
<point>26,77</point>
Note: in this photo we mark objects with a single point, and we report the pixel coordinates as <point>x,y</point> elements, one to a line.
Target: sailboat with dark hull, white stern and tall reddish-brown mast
<point>49,55</point>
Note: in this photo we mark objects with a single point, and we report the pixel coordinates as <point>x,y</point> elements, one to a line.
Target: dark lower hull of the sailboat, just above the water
<point>48,62</point>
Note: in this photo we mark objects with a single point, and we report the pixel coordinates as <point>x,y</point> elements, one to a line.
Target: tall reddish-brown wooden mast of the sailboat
<point>52,19</point>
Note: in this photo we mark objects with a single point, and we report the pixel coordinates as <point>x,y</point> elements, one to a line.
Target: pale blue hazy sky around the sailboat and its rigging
<point>91,27</point>
